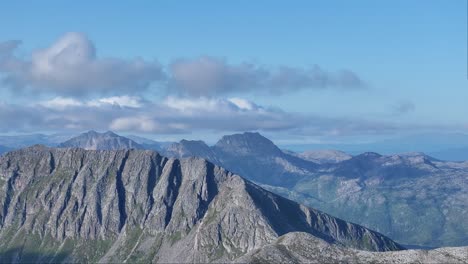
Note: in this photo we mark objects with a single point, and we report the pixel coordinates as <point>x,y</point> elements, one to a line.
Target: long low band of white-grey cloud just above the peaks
<point>175,115</point>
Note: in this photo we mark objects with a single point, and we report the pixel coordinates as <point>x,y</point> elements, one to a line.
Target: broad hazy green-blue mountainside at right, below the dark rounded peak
<point>412,198</point>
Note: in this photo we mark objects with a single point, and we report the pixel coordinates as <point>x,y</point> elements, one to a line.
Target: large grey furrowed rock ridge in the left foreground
<point>78,205</point>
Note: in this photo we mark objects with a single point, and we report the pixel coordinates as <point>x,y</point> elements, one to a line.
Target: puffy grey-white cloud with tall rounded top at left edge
<point>71,66</point>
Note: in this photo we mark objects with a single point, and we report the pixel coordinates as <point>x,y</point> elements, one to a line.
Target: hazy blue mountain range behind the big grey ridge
<point>410,197</point>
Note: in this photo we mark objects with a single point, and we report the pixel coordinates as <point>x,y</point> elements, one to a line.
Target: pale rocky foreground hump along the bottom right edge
<point>304,248</point>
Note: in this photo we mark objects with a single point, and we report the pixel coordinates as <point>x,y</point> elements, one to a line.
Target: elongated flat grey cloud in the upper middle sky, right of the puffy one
<point>209,76</point>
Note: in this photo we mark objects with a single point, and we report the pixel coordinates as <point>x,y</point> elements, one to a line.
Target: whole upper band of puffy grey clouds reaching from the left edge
<point>71,66</point>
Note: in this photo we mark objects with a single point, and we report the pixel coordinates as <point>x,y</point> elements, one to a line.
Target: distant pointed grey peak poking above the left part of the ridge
<point>93,140</point>
